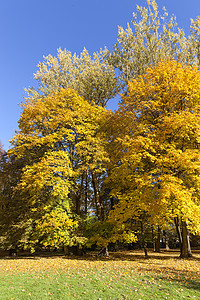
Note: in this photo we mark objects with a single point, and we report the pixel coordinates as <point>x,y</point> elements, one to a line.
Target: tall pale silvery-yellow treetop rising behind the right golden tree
<point>151,37</point>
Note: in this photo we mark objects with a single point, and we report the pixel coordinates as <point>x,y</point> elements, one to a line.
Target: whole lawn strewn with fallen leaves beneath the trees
<point>124,275</point>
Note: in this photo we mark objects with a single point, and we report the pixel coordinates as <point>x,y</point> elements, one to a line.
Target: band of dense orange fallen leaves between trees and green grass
<point>119,263</point>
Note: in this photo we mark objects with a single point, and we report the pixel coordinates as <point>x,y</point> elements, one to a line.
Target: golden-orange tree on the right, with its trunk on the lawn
<point>154,149</point>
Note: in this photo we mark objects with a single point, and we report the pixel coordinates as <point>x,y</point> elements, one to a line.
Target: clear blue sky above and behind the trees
<point>31,29</point>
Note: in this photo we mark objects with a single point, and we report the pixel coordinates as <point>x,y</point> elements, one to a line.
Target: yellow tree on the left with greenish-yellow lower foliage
<point>58,141</point>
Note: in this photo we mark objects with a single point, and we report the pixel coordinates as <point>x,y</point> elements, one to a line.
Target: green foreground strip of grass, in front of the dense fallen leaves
<point>93,285</point>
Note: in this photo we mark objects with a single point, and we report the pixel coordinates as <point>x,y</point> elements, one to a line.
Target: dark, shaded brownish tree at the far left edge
<point>13,207</point>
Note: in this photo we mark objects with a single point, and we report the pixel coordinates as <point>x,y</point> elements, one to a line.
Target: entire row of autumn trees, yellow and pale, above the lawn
<point>77,174</point>
